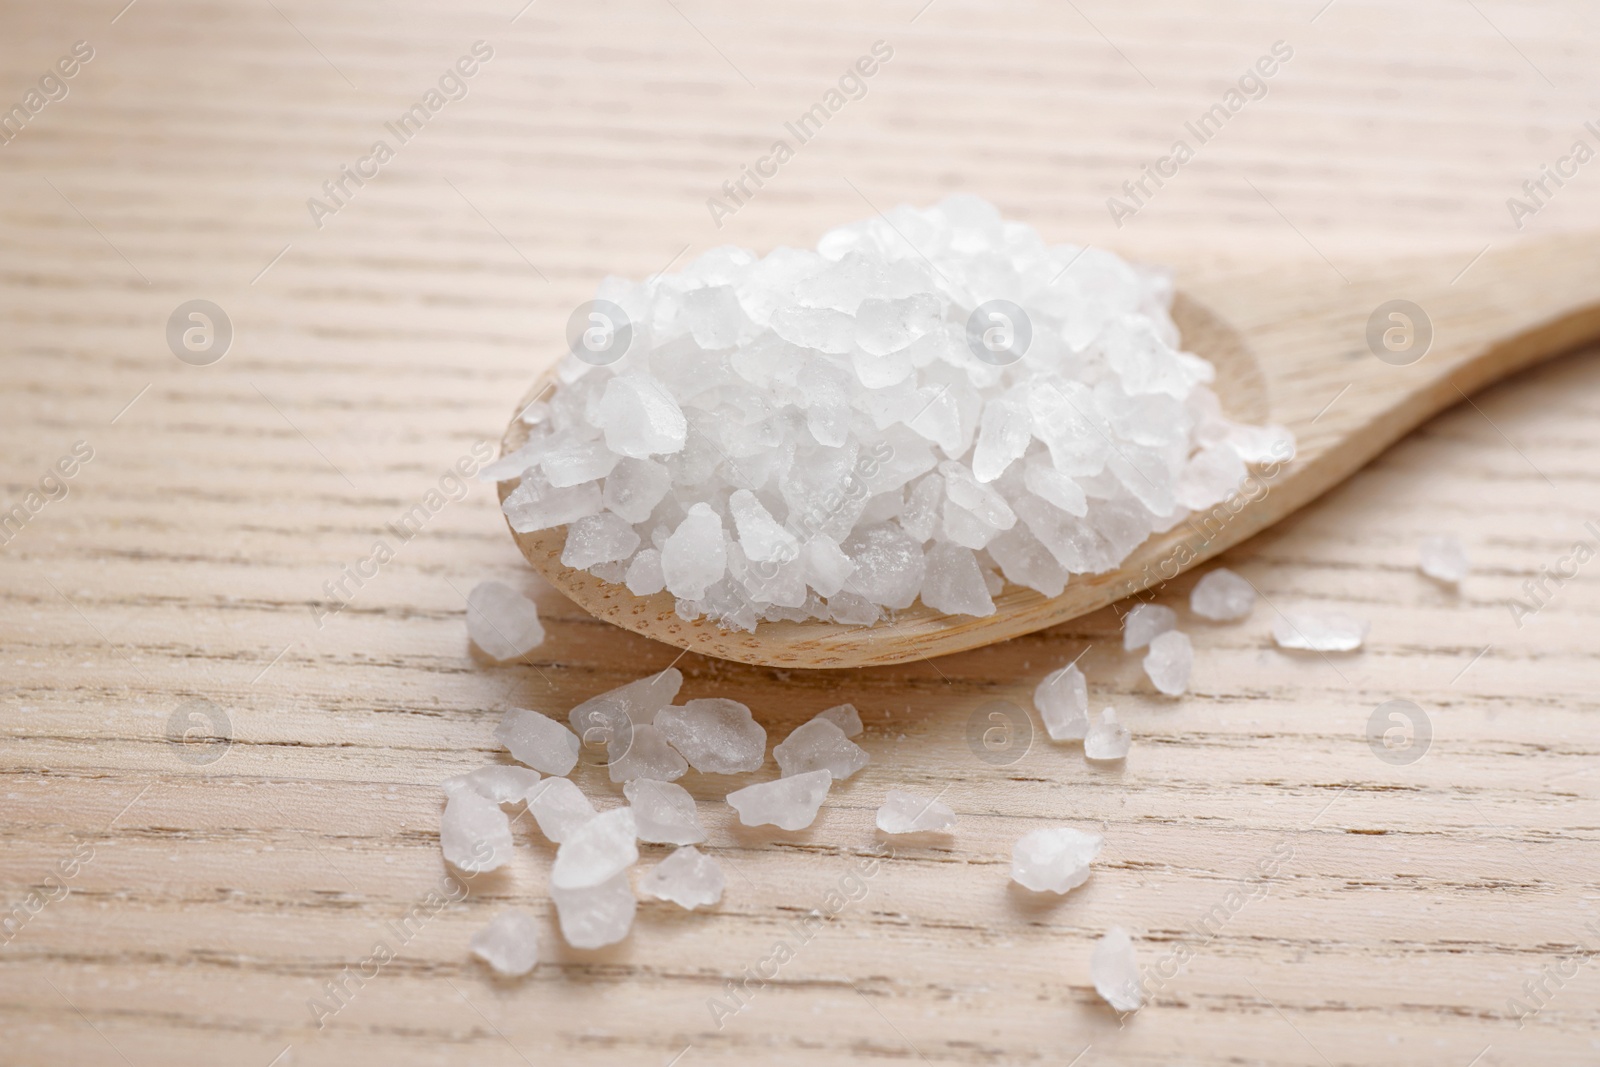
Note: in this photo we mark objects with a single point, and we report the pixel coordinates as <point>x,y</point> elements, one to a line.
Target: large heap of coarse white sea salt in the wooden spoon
<point>932,404</point>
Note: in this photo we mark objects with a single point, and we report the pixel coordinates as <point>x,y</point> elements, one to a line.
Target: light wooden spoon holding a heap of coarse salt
<point>1290,345</point>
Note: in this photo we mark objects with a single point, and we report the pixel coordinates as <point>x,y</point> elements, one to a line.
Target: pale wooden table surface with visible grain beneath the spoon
<point>1305,900</point>
